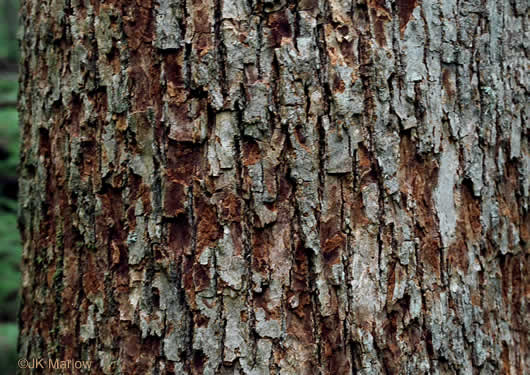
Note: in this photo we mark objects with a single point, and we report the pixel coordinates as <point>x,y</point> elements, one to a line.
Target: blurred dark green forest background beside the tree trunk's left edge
<point>10,246</point>
